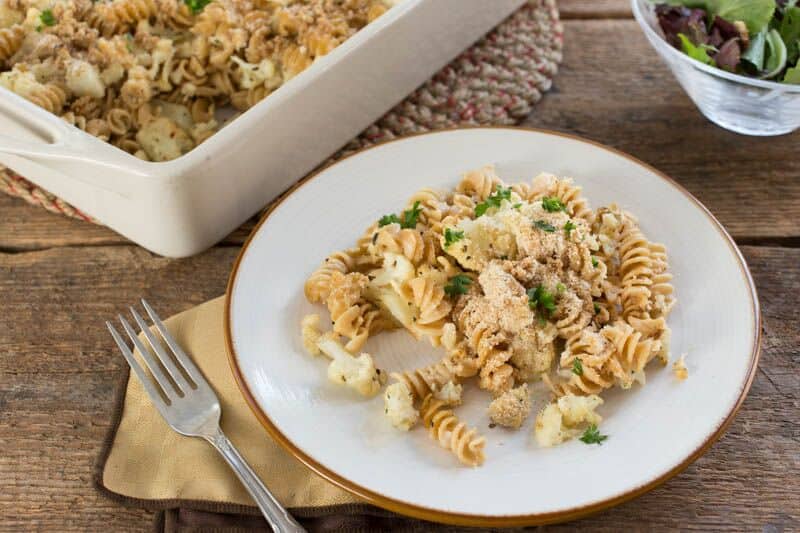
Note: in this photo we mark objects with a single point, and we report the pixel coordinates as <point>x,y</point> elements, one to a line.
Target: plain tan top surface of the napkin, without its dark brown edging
<point>149,461</point>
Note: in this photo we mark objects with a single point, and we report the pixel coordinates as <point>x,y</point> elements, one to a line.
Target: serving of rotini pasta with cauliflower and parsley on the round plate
<point>517,284</point>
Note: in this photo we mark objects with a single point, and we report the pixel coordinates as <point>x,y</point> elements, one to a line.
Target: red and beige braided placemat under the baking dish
<point>495,82</point>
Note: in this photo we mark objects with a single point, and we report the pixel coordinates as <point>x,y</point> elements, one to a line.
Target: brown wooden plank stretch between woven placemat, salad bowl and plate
<point>616,91</point>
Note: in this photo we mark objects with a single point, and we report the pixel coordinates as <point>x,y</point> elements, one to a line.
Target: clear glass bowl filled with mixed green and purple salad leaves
<point>736,59</point>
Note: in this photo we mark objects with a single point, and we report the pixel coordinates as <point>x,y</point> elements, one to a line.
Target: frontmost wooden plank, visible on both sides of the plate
<point>58,368</point>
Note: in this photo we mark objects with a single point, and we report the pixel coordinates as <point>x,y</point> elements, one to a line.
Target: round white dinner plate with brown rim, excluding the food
<point>654,431</point>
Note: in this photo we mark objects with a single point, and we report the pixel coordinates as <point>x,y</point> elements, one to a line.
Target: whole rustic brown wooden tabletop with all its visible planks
<point>60,278</point>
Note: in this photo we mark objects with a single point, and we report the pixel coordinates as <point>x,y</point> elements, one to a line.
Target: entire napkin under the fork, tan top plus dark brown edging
<point>146,464</point>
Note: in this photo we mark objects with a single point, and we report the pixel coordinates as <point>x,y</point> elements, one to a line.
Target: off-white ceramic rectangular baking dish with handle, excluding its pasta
<point>181,207</point>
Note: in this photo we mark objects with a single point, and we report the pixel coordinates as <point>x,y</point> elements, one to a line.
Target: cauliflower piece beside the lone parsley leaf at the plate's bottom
<point>560,421</point>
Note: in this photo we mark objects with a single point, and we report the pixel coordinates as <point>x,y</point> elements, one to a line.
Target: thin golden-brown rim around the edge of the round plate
<point>483,520</point>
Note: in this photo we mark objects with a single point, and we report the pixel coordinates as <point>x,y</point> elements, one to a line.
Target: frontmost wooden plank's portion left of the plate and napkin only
<point>58,370</point>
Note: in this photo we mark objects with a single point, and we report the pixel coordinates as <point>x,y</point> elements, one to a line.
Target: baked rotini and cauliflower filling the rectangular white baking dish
<point>148,75</point>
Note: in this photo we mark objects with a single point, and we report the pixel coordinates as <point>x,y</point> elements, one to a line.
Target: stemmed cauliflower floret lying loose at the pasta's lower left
<point>358,373</point>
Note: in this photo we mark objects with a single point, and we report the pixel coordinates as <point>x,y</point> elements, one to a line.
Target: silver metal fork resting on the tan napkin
<point>189,405</point>
